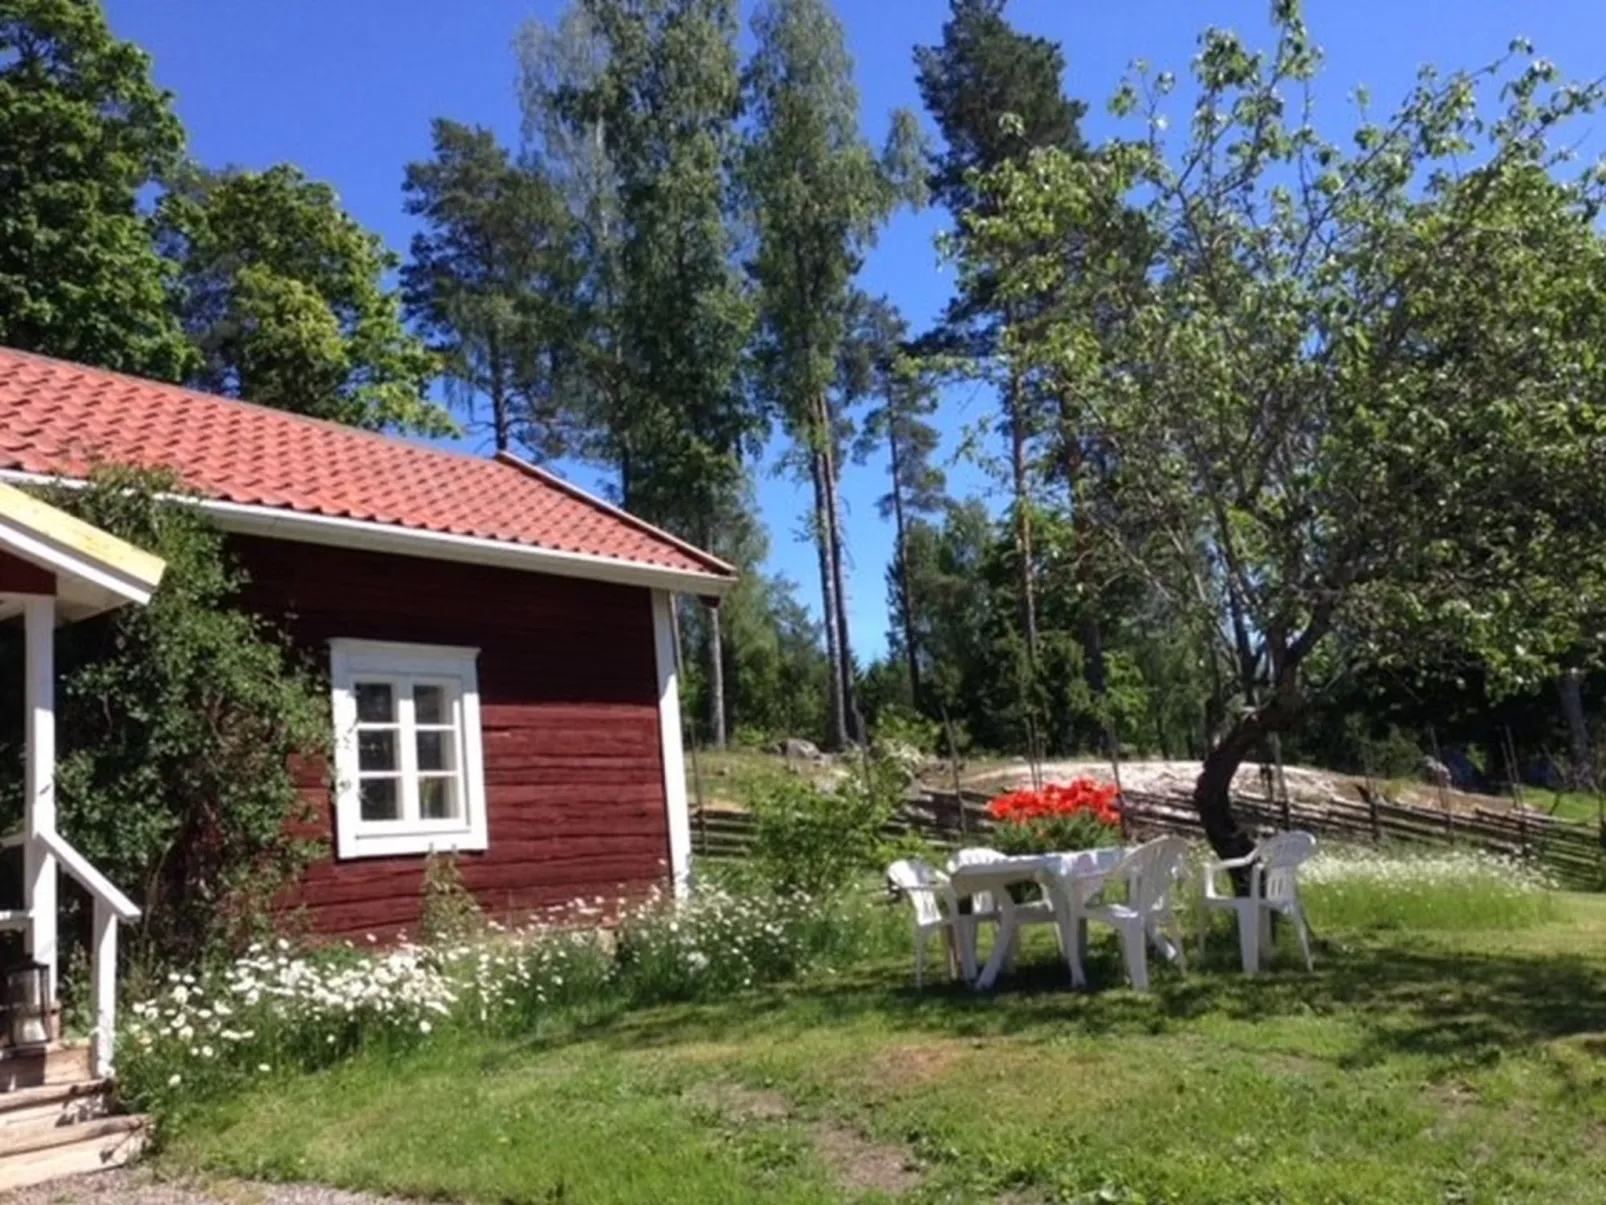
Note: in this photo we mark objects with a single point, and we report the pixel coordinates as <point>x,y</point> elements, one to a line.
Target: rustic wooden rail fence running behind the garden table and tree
<point>1576,854</point>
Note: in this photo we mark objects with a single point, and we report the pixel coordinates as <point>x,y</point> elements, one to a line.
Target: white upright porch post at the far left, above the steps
<point>39,868</point>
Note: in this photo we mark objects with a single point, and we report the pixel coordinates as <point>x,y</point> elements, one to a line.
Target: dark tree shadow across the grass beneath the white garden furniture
<point>1449,1005</point>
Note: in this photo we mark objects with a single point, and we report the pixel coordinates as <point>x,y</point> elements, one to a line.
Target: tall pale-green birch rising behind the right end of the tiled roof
<point>635,107</point>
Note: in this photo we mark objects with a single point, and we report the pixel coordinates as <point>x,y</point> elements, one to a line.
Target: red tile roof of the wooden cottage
<point>62,419</point>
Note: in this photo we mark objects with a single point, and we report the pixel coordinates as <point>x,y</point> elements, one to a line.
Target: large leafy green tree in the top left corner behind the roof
<point>84,131</point>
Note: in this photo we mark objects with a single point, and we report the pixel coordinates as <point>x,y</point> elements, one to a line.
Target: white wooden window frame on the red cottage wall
<point>353,661</point>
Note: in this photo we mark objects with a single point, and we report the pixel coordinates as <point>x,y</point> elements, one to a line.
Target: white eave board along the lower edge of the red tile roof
<point>277,523</point>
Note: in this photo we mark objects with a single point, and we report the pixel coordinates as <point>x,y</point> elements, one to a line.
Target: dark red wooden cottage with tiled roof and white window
<point>500,643</point>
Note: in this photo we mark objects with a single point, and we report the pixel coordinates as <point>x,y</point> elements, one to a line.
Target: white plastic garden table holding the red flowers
<point>1067,880</point>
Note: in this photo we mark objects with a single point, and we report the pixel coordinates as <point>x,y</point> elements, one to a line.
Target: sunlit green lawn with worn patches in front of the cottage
<point>1451,1068</point>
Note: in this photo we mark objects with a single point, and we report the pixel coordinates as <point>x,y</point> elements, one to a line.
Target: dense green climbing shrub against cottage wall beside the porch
<point>182,727</point>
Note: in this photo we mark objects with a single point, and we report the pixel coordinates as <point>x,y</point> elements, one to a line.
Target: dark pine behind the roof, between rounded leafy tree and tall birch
<point>494,282</point>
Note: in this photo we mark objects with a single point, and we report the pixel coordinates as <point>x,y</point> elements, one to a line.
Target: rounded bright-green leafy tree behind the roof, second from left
<point>285,298</point>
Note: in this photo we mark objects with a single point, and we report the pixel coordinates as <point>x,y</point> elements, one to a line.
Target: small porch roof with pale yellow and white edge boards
<point>46,550</point>
